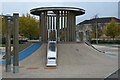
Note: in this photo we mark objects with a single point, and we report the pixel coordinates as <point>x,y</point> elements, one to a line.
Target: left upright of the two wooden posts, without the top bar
<point>8,46</point>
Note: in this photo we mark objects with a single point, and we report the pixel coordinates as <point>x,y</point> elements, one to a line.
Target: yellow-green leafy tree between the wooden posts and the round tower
<point>29,27</point>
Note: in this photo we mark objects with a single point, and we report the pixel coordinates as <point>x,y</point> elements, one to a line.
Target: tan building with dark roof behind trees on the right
<point>101,24</point>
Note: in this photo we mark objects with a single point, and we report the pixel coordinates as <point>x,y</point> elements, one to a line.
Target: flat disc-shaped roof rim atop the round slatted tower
<point>77,11</point>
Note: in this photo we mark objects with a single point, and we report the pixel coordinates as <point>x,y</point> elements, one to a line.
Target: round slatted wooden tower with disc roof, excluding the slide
<point>62,19</point>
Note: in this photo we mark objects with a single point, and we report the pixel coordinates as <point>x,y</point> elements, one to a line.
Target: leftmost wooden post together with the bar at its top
<point>8,19</point>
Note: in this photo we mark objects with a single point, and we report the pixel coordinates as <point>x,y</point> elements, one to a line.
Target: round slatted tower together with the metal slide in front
<point>57,24</point>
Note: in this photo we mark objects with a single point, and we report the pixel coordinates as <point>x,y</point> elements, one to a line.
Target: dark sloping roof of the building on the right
<point>100,20</point>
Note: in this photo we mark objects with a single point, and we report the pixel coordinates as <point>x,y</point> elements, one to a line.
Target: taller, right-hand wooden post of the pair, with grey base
<point>15,43</point>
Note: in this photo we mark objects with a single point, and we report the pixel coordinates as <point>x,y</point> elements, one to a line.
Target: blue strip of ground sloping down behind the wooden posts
<point>24,54</point>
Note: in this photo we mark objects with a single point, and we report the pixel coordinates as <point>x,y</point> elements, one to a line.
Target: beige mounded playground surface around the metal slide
<point>75,60</point>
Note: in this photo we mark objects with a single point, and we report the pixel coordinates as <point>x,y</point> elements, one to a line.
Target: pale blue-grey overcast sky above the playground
<point>103,9</point>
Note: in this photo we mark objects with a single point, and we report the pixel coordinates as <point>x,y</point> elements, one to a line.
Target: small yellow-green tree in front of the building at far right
<point>112,29</point>
